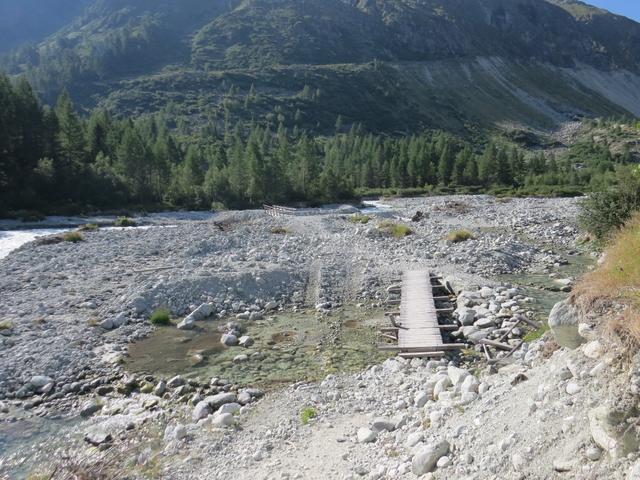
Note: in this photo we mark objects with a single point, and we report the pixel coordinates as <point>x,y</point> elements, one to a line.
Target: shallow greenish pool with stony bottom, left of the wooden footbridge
<point>289,347</point>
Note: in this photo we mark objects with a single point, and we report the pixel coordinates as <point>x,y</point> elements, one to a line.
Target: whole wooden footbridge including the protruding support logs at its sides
<point>416,328</point>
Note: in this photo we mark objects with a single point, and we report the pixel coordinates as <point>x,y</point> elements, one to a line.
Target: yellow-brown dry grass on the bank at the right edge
<point>617,281</point>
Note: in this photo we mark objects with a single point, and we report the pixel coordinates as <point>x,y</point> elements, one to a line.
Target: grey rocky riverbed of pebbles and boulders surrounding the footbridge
<point>71,311</point>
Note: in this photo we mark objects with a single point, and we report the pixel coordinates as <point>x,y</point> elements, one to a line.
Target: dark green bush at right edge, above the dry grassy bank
<point>604,212</point>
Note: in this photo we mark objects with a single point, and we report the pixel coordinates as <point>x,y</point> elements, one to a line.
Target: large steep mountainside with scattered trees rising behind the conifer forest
<point>391,65</point>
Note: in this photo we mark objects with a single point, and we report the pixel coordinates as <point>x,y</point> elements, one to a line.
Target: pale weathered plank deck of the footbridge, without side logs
<point>419,330</point>
